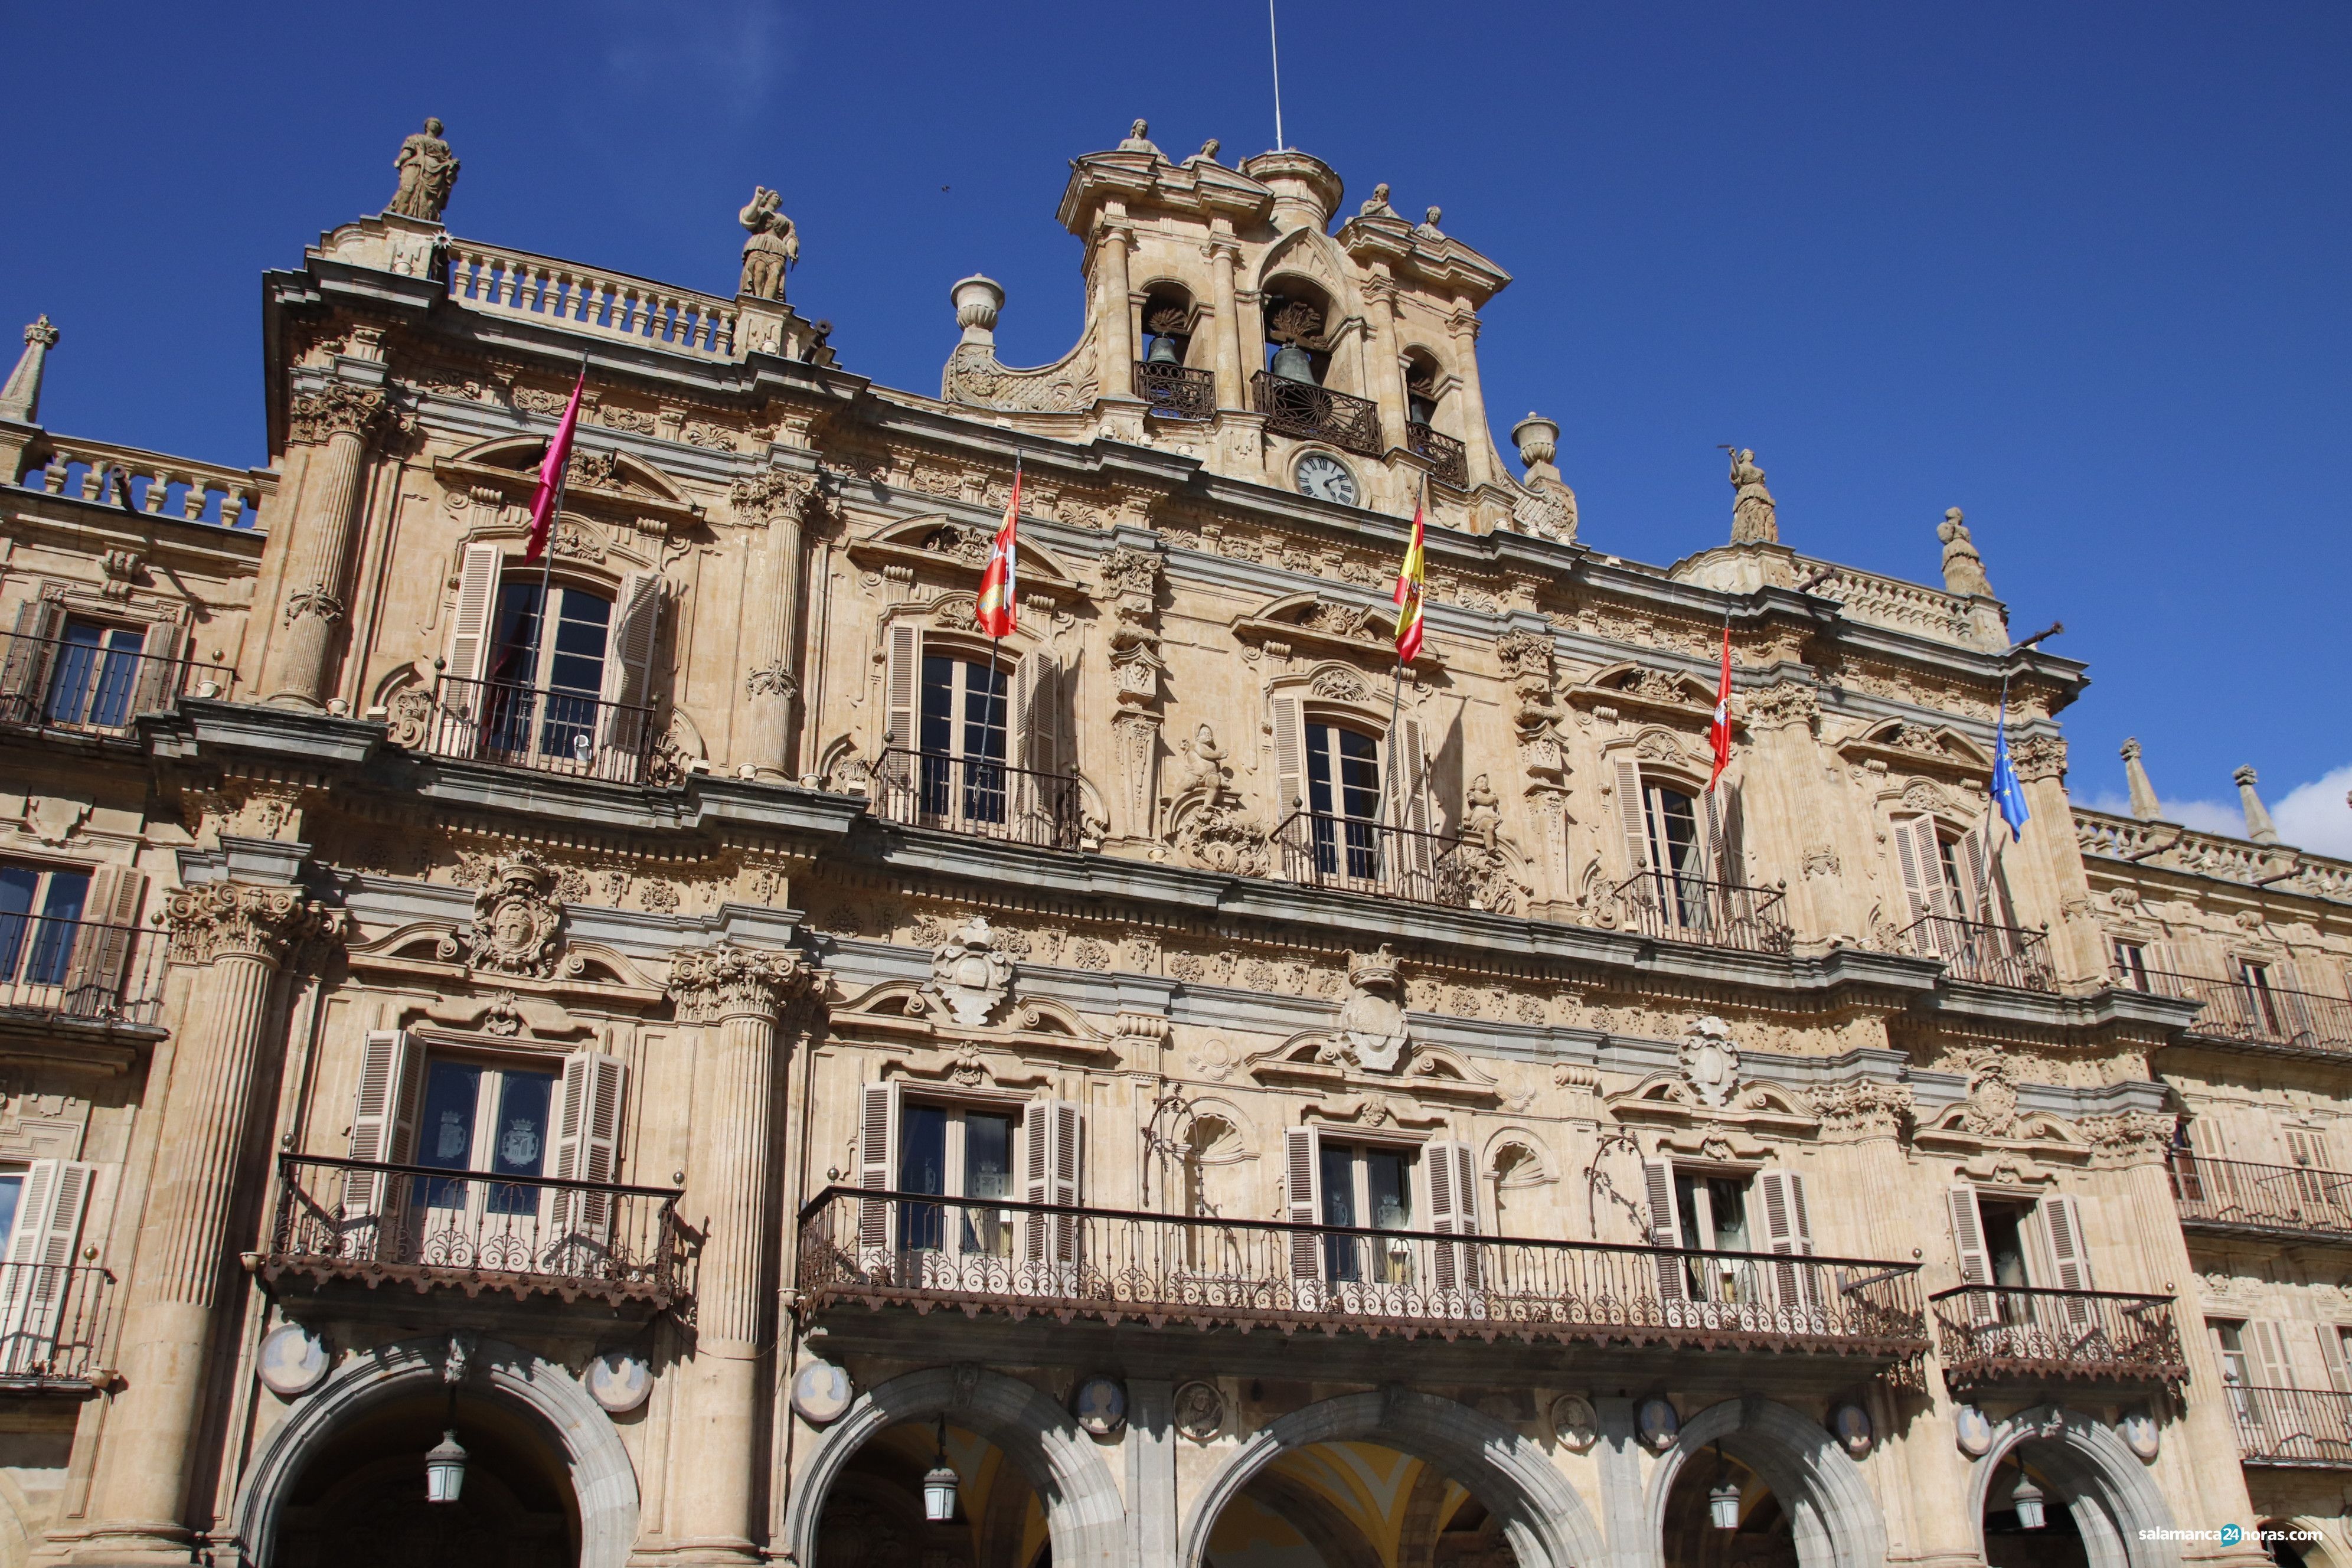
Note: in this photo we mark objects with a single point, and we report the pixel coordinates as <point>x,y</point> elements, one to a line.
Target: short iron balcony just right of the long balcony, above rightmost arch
<point>2007,1336</point>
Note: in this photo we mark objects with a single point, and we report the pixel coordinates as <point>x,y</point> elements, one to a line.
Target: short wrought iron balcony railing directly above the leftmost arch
<point>352,1219</point>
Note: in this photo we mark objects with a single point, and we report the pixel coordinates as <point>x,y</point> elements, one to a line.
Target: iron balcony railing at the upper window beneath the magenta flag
<point>521,728</point>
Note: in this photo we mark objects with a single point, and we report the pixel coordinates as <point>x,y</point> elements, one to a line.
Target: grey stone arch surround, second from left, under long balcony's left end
<point>1083,1508</point>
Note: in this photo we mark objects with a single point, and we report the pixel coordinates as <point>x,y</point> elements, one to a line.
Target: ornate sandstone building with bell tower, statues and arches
<point>1168,1085</point>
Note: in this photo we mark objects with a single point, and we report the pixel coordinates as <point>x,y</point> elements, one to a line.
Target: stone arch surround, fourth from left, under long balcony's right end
<point>1831,1510</point>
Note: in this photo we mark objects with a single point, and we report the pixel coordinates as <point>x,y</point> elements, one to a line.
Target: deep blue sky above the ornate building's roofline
<point>2078,269</point>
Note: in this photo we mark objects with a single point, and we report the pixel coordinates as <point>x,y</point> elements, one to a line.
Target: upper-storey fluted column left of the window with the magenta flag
<point>340,420</point>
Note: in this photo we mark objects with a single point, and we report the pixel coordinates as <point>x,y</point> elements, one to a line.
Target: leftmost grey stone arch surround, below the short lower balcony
<point>603,1480</point>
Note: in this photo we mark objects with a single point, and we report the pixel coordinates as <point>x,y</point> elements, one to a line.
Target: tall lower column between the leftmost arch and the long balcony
<point>740,996</point>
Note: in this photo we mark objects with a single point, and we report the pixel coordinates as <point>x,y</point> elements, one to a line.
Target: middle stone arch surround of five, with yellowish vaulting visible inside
<point>1495,1463</point>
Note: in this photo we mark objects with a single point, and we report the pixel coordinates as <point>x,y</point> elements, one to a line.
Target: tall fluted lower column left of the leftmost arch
<point>236,937</point>
